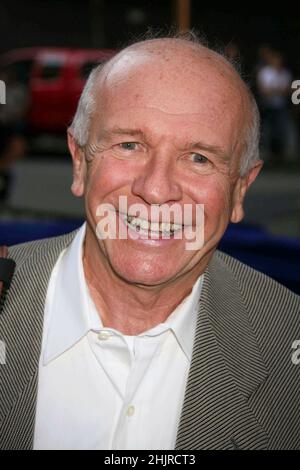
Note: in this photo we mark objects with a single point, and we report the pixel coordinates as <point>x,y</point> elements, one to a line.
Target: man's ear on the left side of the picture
<point>79,166</point>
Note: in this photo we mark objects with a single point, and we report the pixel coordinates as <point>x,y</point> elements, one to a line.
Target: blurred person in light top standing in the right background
<point>274,90</point>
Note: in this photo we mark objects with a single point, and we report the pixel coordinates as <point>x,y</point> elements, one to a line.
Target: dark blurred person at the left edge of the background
<point>12,129</point>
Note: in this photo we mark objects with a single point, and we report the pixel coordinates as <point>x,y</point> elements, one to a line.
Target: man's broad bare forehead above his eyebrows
<point>179,83</point>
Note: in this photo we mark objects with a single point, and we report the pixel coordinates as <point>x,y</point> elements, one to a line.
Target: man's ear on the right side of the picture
<point>239,193</point>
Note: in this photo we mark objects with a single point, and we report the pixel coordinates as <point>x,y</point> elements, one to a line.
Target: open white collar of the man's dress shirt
<point>71,313</point>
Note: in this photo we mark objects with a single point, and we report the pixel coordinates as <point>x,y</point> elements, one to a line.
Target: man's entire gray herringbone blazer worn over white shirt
<point>243,389</point>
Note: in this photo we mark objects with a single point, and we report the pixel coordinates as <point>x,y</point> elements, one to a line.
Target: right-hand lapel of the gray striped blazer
<point>226,369</point>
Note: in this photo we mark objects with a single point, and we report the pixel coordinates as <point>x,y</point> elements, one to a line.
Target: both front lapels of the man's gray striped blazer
<point>226,364</point>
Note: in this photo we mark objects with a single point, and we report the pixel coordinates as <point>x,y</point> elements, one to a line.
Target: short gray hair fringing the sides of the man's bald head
<point>80,125</point>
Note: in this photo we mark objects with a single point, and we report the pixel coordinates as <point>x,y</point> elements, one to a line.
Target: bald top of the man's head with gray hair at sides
<point>176,76</point>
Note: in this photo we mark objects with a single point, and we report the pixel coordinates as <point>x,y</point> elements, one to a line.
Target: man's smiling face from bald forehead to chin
<point>163,135</point>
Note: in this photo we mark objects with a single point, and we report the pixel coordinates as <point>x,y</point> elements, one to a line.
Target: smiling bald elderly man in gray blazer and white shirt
<point>137,341</point>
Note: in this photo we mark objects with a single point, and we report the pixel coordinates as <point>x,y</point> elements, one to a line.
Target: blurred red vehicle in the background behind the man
<point>55,78</point>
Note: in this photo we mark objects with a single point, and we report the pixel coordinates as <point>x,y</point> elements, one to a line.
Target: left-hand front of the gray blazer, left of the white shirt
<point>21,329</point>
